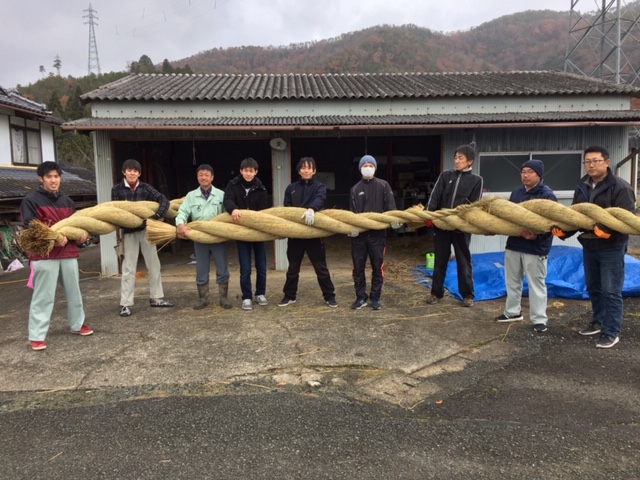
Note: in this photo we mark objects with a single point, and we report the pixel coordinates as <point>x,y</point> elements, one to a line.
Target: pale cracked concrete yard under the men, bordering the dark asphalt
<point>395,355</point>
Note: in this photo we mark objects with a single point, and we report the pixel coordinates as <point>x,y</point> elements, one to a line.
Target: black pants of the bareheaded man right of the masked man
<point>460,241</point>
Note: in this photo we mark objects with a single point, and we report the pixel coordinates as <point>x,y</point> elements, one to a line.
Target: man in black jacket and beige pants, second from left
<point>134,240</point>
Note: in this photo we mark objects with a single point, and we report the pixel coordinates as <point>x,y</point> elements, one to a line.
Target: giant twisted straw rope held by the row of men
<point>491,215</point>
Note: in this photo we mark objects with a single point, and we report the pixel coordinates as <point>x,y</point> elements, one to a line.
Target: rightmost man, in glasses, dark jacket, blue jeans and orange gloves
<point>603,249</point>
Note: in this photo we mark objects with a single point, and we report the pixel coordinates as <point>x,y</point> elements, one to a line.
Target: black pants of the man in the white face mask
<point>372,248</point>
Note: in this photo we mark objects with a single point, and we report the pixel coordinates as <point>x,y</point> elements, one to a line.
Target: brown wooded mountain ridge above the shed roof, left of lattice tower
<point>523,41</point>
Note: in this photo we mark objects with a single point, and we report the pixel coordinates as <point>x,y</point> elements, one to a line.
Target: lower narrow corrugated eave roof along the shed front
<point>333,121</point>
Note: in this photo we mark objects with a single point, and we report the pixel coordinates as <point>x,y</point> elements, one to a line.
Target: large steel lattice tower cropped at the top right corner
<point>604,43</point>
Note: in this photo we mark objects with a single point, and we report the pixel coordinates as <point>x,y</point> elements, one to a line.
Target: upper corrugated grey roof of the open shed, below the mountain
<point>221,87</point>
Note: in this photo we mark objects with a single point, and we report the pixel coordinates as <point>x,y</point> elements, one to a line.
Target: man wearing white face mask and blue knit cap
<point>369,195</point>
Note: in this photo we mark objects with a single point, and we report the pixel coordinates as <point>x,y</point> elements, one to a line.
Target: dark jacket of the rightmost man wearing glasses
<point>612,191</point>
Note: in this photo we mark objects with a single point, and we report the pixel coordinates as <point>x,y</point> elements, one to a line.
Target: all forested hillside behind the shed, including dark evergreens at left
<point>531,40</point>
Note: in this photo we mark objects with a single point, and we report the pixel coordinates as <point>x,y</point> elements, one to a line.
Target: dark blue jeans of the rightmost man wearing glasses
<point>604,275</point>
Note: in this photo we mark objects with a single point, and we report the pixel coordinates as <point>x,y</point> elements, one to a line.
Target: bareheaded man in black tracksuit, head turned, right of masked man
<point>454,187</point>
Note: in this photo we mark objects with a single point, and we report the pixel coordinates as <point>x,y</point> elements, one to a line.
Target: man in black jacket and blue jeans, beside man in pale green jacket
<point>247,192</point>
